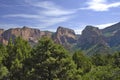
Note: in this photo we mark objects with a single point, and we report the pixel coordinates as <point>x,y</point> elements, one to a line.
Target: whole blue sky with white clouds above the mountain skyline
<point>49,14</point>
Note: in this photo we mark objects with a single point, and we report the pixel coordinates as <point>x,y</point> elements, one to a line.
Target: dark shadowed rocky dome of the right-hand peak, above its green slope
<point>90,36</point>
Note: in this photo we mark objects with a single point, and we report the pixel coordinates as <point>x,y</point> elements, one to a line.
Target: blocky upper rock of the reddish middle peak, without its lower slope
<point>65,35</point>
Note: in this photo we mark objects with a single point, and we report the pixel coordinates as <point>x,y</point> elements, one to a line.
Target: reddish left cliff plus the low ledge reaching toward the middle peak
<point>29,34</point>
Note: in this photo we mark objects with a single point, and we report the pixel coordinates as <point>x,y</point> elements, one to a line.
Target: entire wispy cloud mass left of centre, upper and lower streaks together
<point>47,13</point>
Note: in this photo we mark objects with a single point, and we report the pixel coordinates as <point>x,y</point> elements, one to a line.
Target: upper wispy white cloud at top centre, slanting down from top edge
<point>50,8</point>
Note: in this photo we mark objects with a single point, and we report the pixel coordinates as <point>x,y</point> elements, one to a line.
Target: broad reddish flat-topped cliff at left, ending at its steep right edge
<point>25,32</point>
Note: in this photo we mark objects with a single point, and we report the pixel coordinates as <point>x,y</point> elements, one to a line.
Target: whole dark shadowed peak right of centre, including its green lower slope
<point>92,41</point>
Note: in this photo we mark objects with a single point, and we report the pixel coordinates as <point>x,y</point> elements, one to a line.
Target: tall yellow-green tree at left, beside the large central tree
<point>17,53</point>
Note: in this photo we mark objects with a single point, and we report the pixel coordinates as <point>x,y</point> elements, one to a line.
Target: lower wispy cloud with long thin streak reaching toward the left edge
<point>43,20</point>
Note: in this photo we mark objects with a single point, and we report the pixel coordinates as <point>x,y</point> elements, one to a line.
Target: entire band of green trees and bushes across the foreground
<point>50,61</point>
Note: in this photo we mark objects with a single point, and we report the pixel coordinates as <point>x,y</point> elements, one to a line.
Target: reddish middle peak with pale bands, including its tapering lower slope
<point>65,37</point>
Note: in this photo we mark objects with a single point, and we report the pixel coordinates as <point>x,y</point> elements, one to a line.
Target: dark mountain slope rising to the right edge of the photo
<point>112,36</point>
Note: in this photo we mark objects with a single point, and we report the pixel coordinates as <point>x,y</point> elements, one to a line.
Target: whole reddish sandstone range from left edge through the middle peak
<point>63,36</point>
